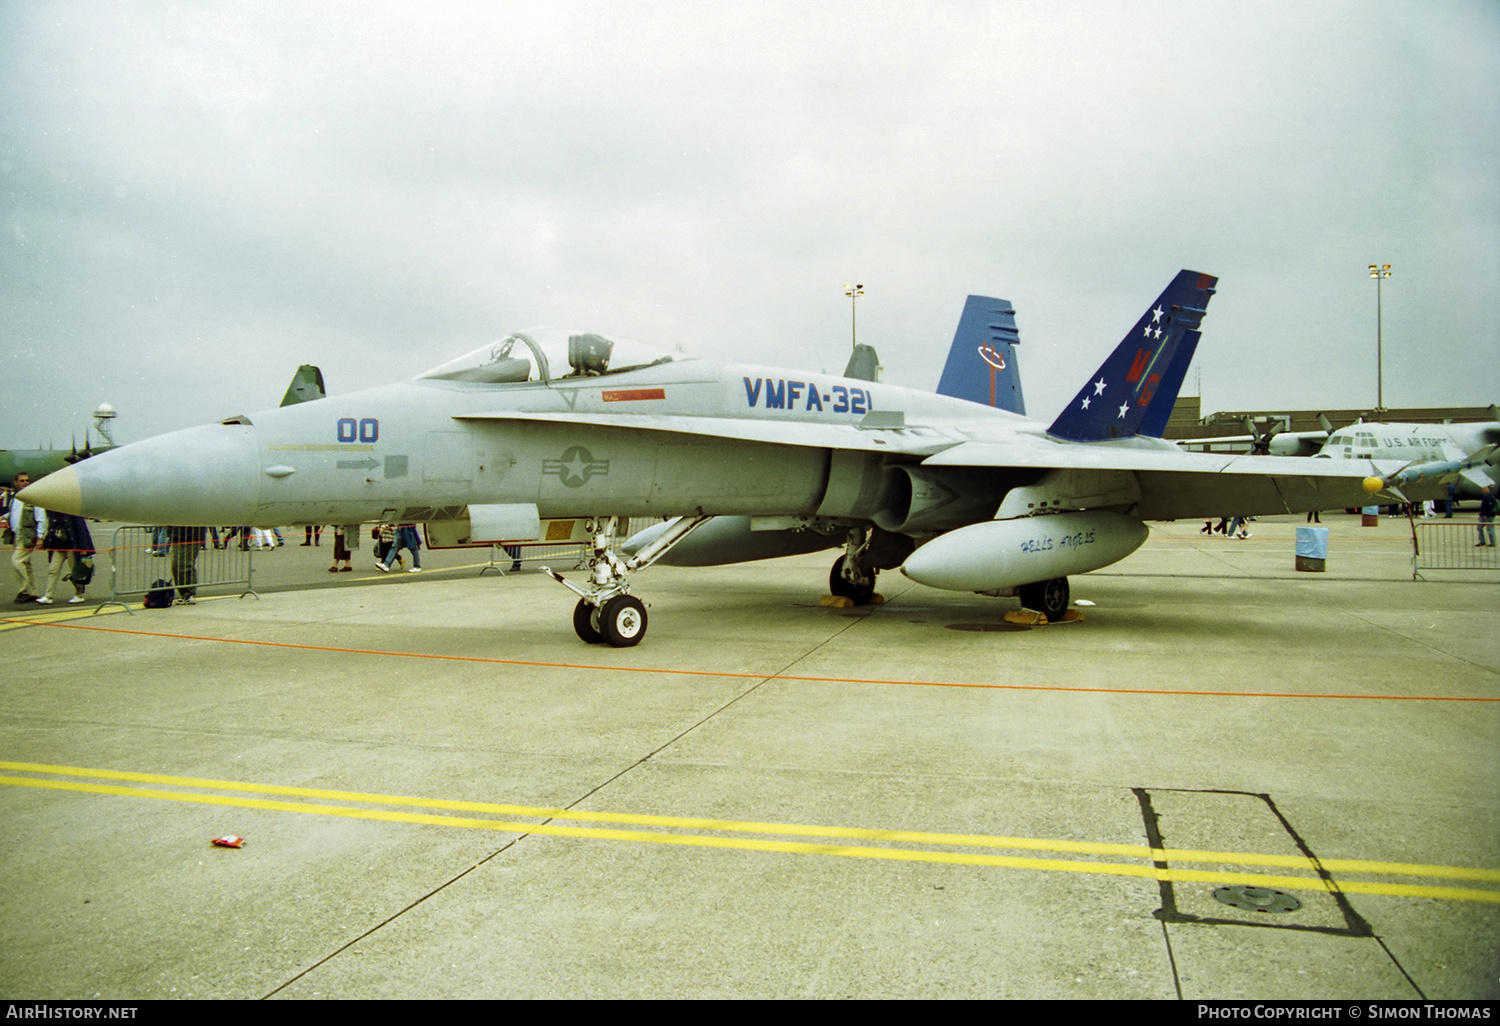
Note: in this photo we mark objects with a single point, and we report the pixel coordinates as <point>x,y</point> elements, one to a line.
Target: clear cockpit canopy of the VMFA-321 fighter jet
<point>550,355</point>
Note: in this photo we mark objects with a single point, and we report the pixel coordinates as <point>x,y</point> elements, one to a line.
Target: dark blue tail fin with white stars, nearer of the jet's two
<point>1121,397</point>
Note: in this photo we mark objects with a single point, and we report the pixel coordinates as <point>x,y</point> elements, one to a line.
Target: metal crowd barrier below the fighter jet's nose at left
<point>142,560</point>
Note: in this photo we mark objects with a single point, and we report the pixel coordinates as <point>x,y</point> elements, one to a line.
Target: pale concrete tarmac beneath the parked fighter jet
<point>445,794</point>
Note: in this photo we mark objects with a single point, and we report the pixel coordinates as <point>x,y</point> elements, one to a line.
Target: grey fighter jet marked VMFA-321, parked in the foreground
<point>553,425</point>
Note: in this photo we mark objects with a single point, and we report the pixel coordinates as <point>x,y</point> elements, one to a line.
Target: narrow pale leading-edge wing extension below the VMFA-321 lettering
<point>880,433</point>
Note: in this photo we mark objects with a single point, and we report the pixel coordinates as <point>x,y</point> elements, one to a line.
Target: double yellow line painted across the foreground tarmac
<point>364,808</point>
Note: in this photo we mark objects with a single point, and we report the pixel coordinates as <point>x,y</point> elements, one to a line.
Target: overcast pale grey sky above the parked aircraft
<point>197,199</point>
